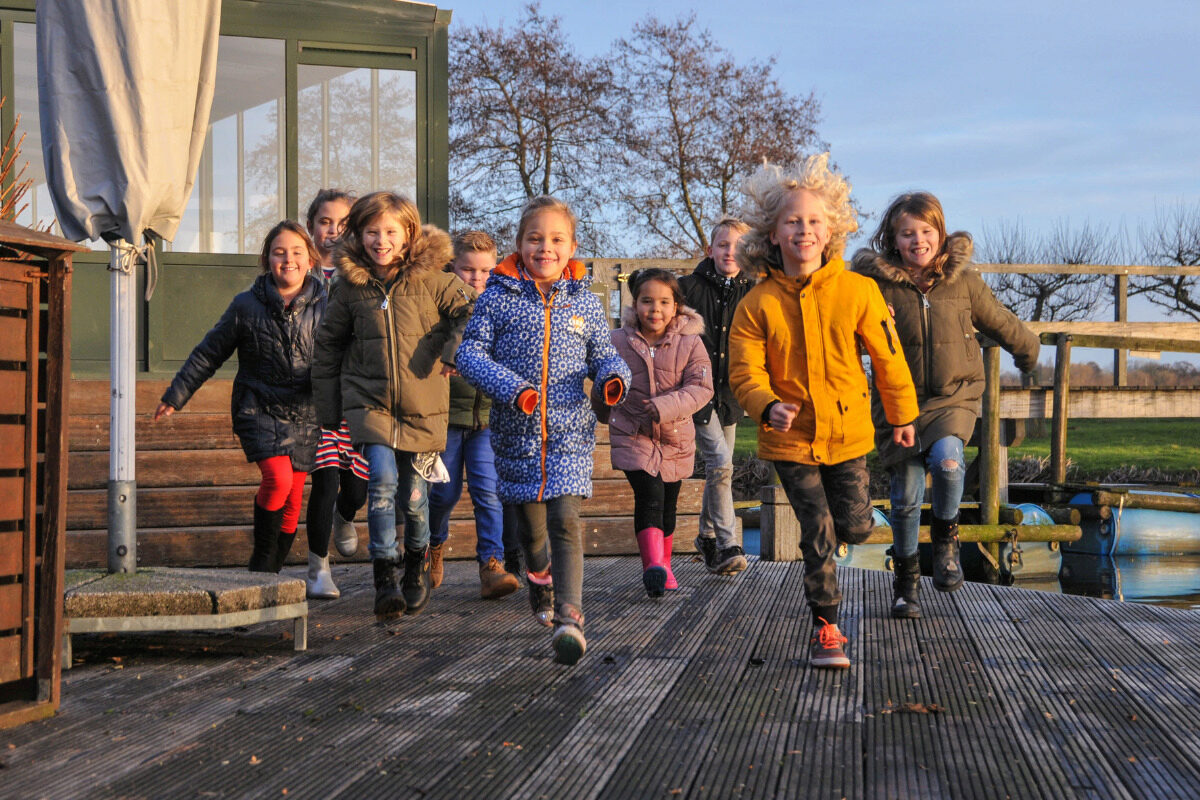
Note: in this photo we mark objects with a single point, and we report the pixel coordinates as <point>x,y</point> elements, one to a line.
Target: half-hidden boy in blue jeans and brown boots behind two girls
<point>470,447</point>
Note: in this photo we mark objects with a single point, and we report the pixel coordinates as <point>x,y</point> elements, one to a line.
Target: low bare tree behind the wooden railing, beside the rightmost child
<point>1048,297</point>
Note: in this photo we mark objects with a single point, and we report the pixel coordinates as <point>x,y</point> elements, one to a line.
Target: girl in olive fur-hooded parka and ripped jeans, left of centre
<point>383,354</point>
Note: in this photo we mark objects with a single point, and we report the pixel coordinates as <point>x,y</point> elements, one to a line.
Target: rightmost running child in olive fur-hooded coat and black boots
<point>938,302</point>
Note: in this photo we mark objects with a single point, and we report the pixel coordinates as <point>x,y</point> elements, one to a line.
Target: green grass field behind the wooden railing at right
<point>1096,448</point>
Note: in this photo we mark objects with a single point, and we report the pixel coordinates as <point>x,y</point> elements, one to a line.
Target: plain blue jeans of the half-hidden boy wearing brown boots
<point>473,450</point>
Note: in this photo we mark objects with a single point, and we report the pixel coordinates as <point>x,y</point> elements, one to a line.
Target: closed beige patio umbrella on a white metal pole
<point>125,88</point>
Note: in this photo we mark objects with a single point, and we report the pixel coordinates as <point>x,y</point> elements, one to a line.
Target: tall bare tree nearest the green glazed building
<point>529,117</point>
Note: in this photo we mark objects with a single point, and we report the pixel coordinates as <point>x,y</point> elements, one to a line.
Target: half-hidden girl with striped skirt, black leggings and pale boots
<point>340,473</point>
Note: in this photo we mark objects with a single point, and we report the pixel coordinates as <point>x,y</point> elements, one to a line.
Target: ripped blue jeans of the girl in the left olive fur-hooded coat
<point>395,483</point>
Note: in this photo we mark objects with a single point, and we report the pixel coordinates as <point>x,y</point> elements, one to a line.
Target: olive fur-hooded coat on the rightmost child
<point>938,332</point>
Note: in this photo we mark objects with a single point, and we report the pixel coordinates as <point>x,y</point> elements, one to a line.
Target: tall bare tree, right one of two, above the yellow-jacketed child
<point>694,124</point>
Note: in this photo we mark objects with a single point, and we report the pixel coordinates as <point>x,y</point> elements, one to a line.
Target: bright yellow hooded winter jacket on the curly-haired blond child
<point>800,341</point>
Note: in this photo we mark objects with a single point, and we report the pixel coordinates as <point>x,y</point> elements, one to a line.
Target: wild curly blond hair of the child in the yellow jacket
<point>770,190</point>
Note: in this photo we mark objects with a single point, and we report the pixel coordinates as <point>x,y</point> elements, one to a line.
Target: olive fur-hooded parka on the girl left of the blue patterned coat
<point>381,351</point>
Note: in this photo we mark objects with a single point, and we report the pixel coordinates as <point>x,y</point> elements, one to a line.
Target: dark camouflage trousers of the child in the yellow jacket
<point>832,503</point>
